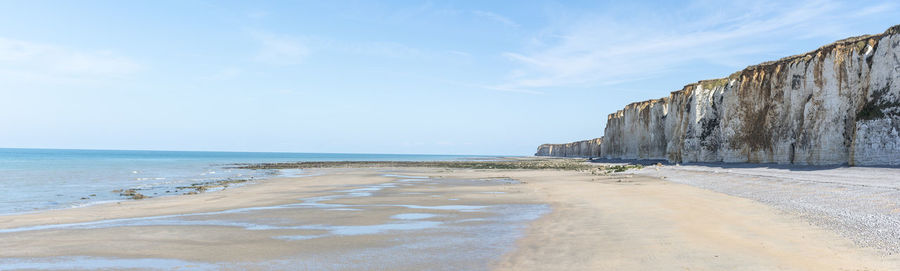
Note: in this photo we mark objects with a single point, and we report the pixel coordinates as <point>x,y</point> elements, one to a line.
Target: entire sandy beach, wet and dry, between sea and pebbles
<point>444,219</point>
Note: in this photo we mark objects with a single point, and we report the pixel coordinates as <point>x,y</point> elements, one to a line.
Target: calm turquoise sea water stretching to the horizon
<point>38,179</point>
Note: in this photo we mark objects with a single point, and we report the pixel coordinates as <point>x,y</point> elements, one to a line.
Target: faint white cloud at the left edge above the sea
<point>42,61</point>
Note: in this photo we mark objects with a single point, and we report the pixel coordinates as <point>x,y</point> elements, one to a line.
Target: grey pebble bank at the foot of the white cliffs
<point>862,204</point>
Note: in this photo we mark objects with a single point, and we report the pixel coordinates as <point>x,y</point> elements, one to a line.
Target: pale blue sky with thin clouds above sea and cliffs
<point>418,77</point>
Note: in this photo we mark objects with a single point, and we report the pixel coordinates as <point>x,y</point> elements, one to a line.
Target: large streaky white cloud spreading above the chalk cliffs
<point>608,49</point>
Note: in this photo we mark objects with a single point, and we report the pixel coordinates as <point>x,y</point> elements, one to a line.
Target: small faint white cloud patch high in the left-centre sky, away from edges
<point>280,49</point>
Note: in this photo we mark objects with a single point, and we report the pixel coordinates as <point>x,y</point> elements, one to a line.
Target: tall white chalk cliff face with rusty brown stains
<point>838,104</point>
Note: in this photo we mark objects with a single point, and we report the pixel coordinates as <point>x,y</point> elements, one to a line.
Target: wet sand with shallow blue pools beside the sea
<point>340,219</point>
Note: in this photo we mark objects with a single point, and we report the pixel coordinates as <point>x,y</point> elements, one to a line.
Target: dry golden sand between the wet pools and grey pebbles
<point>643,223</point>
